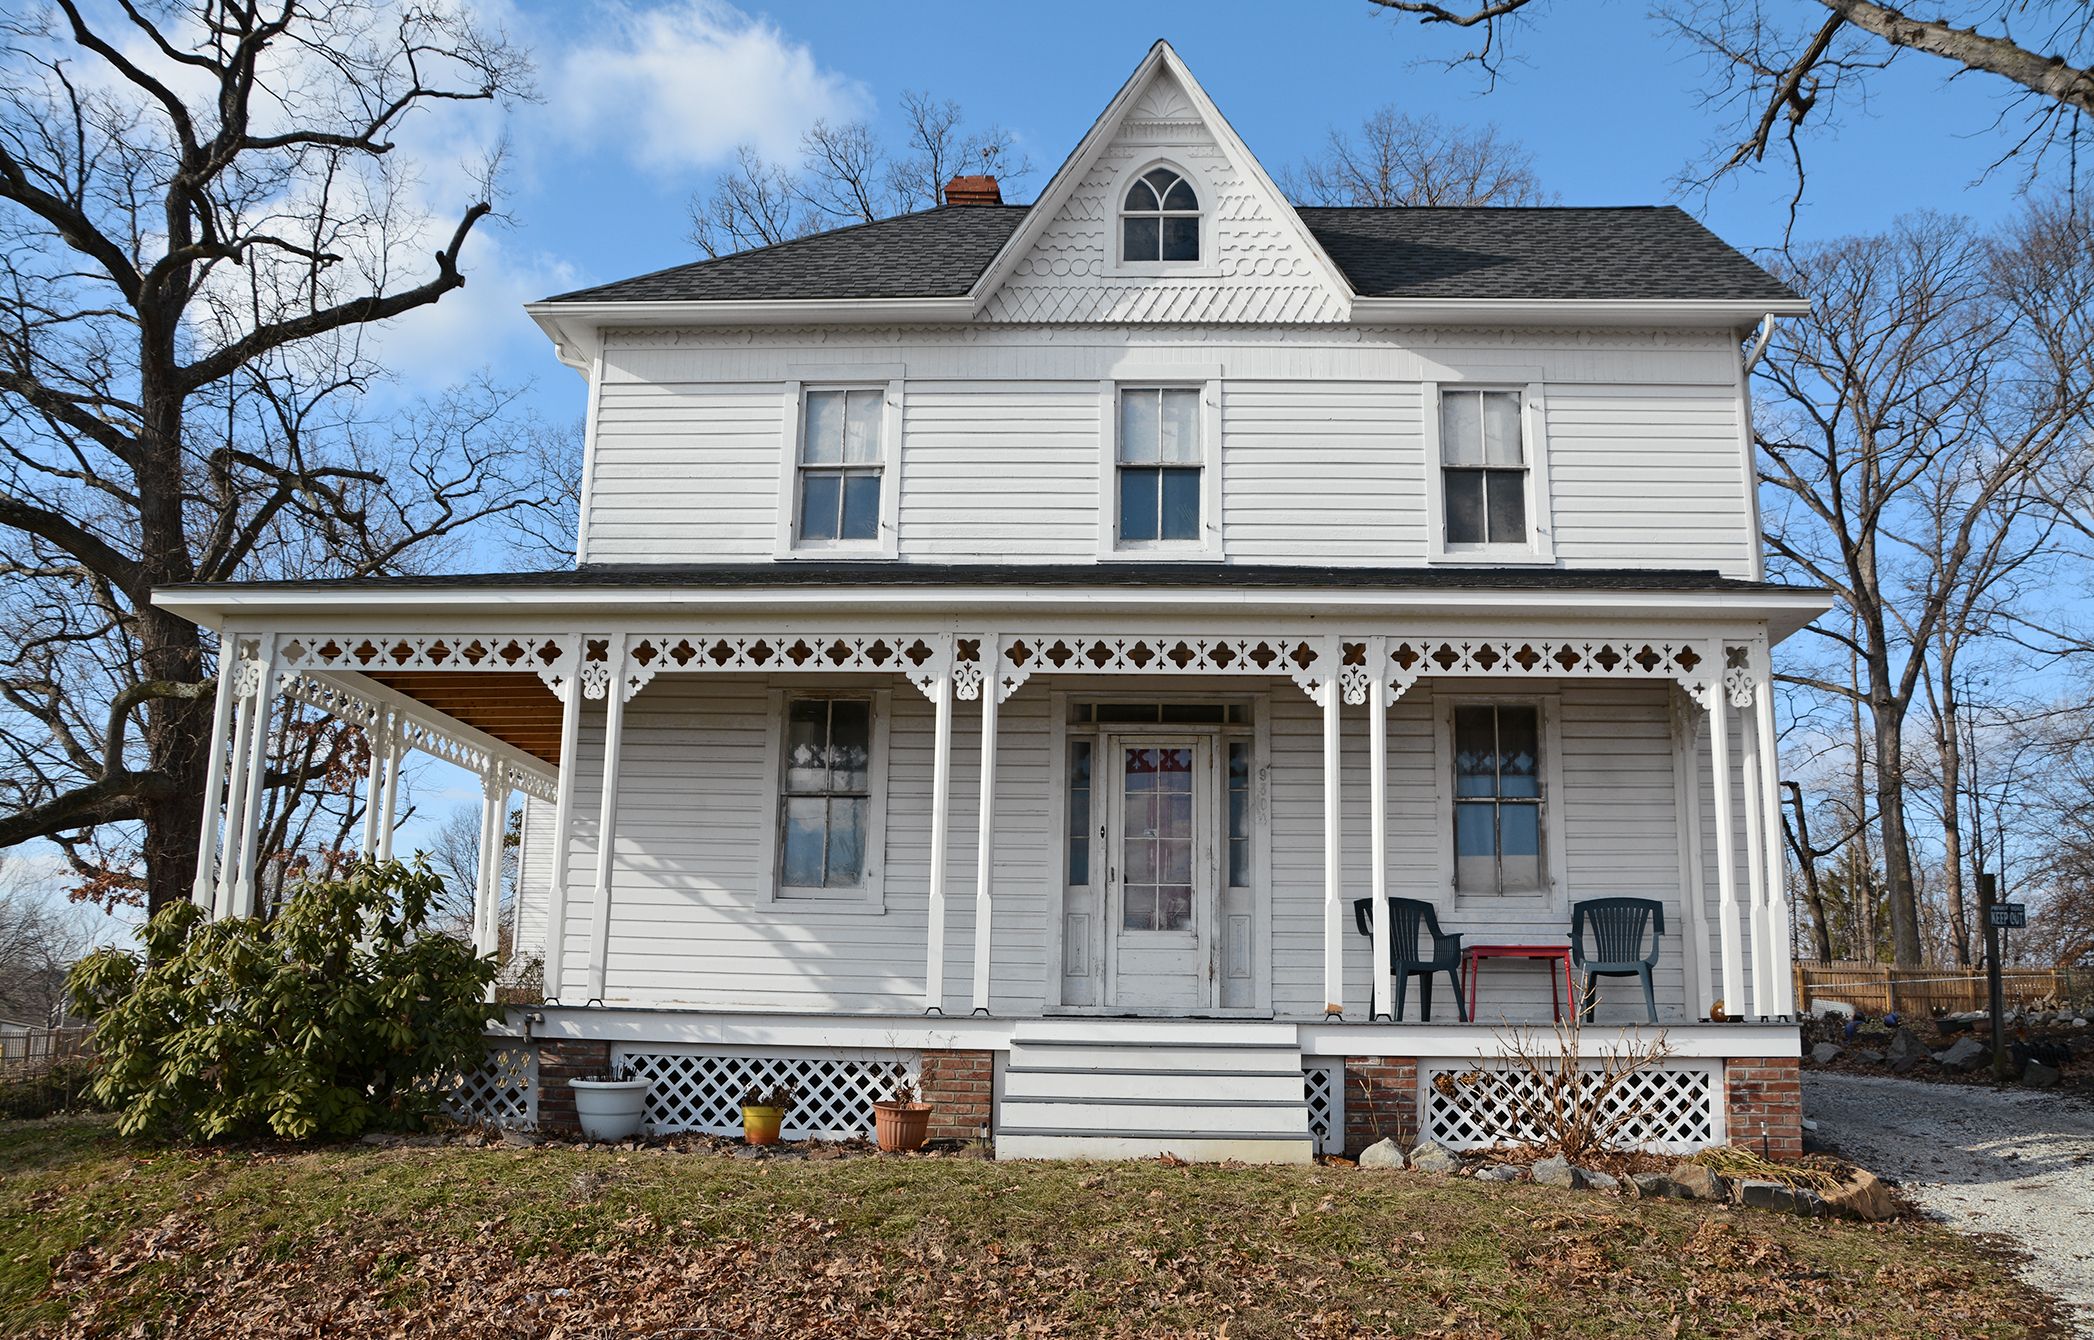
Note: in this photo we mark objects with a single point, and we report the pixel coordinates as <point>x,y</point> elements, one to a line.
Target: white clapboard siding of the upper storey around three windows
<point>1322,453</point>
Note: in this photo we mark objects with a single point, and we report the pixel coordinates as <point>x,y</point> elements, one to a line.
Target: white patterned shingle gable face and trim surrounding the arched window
<point>1157,114</point>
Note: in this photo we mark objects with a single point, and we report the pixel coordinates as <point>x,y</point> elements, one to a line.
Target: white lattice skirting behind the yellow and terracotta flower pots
<point>834,1092</point>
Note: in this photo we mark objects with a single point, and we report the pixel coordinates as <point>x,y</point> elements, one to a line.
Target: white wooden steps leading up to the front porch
<point>1201,1090</point>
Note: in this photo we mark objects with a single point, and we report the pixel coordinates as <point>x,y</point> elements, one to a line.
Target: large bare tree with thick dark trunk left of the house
<point>204,219</point>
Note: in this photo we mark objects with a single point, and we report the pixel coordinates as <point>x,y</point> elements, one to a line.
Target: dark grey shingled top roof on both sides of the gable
<point>1645,252</point>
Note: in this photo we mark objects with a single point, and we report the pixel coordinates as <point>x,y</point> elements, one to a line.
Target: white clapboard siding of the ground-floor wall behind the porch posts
<point>692,926</point>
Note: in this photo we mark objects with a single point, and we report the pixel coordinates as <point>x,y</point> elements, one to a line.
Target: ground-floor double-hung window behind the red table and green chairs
<point>1498,799</point>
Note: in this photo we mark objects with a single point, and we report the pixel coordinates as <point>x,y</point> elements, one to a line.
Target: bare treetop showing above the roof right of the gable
<point>1404,160</point>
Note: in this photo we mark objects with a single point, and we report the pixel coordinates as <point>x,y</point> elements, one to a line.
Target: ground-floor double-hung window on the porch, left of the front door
<point>828,790</point>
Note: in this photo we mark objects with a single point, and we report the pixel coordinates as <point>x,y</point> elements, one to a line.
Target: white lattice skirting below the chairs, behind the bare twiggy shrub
<point>1469,1104</point>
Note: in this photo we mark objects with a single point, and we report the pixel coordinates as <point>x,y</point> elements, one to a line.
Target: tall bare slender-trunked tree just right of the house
<point>1921,426</point>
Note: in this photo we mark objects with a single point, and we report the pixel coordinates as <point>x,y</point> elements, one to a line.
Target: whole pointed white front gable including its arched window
<point>1163,217</point>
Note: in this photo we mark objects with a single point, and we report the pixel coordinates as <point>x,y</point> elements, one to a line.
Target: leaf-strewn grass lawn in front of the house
<point>102,1236</point>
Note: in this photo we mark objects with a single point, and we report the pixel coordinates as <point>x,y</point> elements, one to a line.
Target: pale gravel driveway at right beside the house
<point>1986,1161</point>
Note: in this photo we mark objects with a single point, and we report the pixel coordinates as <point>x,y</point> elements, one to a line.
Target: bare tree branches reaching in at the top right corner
<point>1785,70</point>
